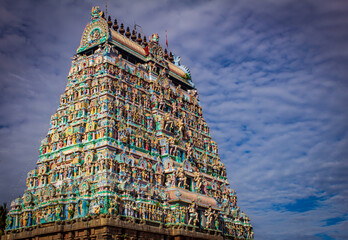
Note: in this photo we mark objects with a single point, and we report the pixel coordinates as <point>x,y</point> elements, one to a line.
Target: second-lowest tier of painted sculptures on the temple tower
<point>152,172</point>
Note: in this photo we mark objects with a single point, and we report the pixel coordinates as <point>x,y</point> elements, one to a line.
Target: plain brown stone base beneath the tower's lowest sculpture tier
<point>109,227</point>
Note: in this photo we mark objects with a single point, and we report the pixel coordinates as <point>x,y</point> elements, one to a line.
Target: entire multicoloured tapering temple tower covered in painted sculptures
<point>128,154</point>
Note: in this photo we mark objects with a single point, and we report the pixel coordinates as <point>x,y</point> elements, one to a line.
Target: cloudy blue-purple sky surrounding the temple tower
<point>272,79</point>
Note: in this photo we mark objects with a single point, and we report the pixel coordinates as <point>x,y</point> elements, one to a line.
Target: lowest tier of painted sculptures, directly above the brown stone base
<point>28,214</point>
